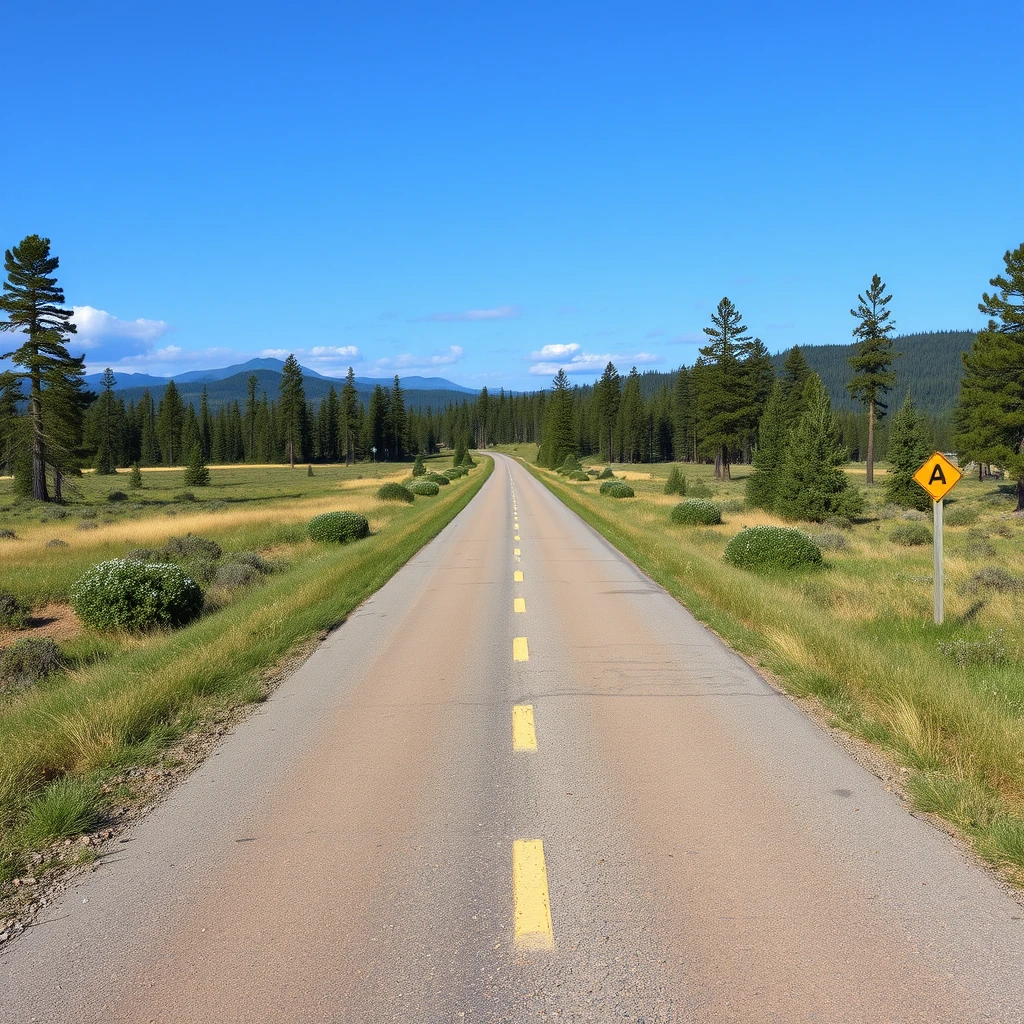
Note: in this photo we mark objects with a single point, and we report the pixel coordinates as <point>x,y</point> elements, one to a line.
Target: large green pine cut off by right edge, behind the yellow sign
<point>991,410</point>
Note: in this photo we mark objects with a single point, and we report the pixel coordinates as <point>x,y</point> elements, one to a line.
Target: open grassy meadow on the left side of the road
<point>114,700</point>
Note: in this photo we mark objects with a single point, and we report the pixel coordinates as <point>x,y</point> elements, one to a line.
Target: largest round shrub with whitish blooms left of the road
<point>124,593</point>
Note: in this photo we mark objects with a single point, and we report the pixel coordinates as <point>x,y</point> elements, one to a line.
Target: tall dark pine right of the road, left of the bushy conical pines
<point>721,400</point>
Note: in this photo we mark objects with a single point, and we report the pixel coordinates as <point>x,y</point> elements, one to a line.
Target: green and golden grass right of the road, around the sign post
<point>947,703</point>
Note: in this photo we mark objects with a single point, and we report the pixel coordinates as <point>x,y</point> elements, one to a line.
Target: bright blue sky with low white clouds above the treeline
<point>487,192</point>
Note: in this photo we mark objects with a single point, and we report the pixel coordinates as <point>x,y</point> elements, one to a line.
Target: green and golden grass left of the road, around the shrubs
<point>126,699</point>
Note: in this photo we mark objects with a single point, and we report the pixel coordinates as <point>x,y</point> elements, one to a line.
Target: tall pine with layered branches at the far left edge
<point>34,305</point>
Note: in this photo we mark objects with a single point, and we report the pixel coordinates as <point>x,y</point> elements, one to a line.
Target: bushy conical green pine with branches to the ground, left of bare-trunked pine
<point>813,485</point>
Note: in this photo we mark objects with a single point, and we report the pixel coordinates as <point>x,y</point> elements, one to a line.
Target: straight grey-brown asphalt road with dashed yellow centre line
<point>673,841</point>
